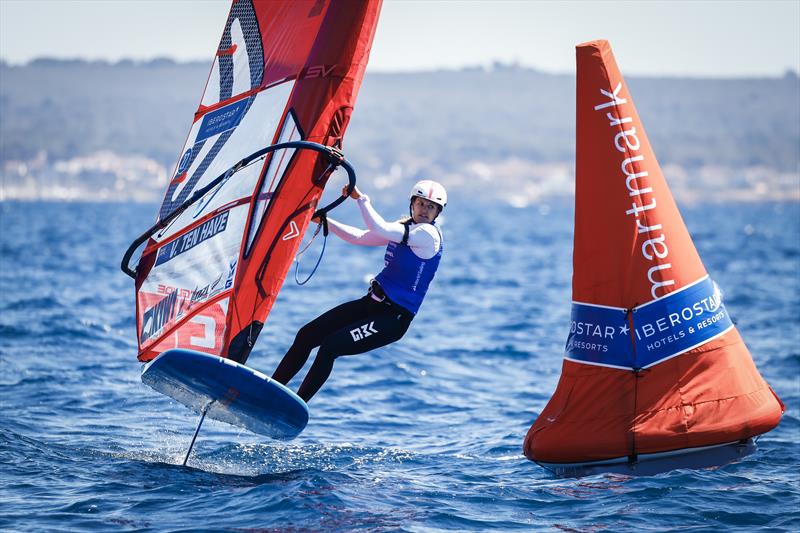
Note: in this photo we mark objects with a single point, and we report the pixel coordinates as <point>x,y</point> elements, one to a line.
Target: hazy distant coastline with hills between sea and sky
<point>111,131</point>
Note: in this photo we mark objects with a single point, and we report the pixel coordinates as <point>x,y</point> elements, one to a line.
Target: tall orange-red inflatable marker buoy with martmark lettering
<point>653,361</point>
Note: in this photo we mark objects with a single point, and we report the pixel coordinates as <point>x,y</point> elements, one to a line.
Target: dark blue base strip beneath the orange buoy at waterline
<point>657,463</point>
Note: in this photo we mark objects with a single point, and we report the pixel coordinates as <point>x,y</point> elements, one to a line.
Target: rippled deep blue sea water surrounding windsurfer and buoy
<point>423,435</point>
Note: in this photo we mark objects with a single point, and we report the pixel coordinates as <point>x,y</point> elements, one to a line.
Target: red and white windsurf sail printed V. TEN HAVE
<point>284,71</point>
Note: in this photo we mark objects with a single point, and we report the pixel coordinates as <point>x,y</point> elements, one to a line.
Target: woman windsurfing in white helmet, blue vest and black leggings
<point>413,250</point>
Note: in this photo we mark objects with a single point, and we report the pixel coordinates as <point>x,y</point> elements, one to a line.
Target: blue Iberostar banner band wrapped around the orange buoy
<point>650,333</point>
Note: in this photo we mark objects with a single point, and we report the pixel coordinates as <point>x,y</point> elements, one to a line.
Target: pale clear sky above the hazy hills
<point>717,38</point>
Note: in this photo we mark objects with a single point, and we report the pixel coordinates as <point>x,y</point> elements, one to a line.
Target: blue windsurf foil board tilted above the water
<point>229,392</point>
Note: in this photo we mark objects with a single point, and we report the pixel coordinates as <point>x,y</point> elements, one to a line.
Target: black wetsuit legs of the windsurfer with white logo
<point>348,329</point>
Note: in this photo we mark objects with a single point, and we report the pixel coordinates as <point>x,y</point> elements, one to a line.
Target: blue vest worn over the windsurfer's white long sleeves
<point>405,276</point>
